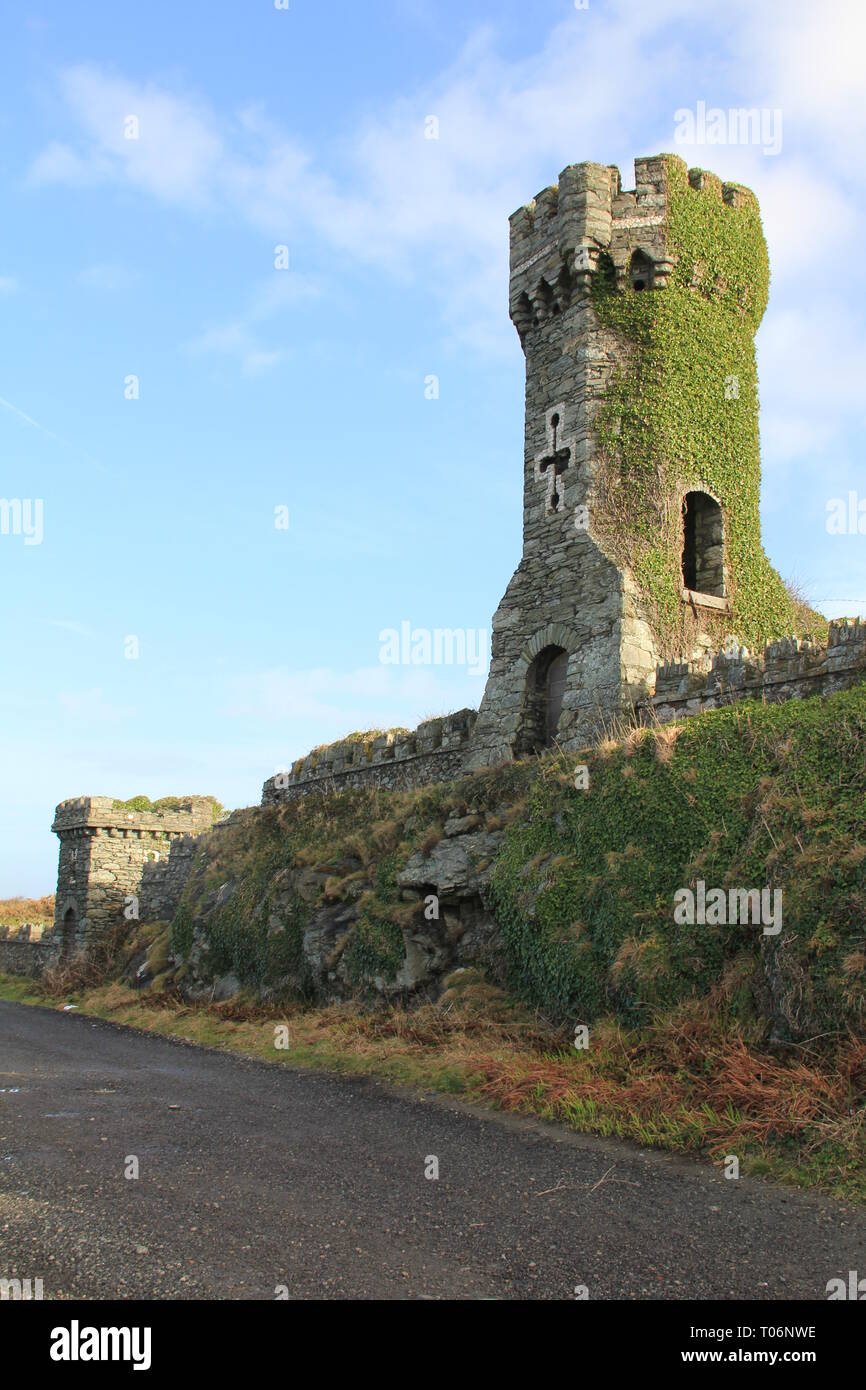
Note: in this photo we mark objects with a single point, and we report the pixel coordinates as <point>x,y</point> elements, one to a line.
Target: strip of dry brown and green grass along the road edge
<point>692,1082</point>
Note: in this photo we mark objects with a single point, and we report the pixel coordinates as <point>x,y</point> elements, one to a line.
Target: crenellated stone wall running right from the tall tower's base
<point>787,669</point>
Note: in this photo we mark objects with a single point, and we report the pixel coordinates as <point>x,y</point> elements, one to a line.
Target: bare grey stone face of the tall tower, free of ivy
<point>566,590</point>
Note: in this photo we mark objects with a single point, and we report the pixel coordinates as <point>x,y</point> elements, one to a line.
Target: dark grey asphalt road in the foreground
<point>256,1177</point>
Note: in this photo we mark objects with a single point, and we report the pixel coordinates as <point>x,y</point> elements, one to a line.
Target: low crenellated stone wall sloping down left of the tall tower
<point>437,751</point>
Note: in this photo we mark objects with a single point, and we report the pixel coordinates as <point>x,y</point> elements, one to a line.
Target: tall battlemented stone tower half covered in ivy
<point>642,533</point>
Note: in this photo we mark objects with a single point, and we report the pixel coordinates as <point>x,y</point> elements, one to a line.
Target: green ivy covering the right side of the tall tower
<point>682,415</point>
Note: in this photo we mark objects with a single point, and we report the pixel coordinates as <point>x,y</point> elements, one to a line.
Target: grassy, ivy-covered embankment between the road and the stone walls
<point>701,1039</point>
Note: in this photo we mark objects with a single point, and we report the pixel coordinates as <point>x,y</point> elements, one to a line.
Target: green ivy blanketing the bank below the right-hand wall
<point>750,796</point>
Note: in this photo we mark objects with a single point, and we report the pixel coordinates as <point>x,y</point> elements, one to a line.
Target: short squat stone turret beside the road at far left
<point>111,854</point>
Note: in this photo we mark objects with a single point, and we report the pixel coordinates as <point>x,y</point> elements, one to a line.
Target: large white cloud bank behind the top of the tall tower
<point>436,211</point>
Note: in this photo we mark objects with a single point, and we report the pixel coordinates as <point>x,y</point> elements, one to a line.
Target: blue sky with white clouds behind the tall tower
<point>155,258</point>
